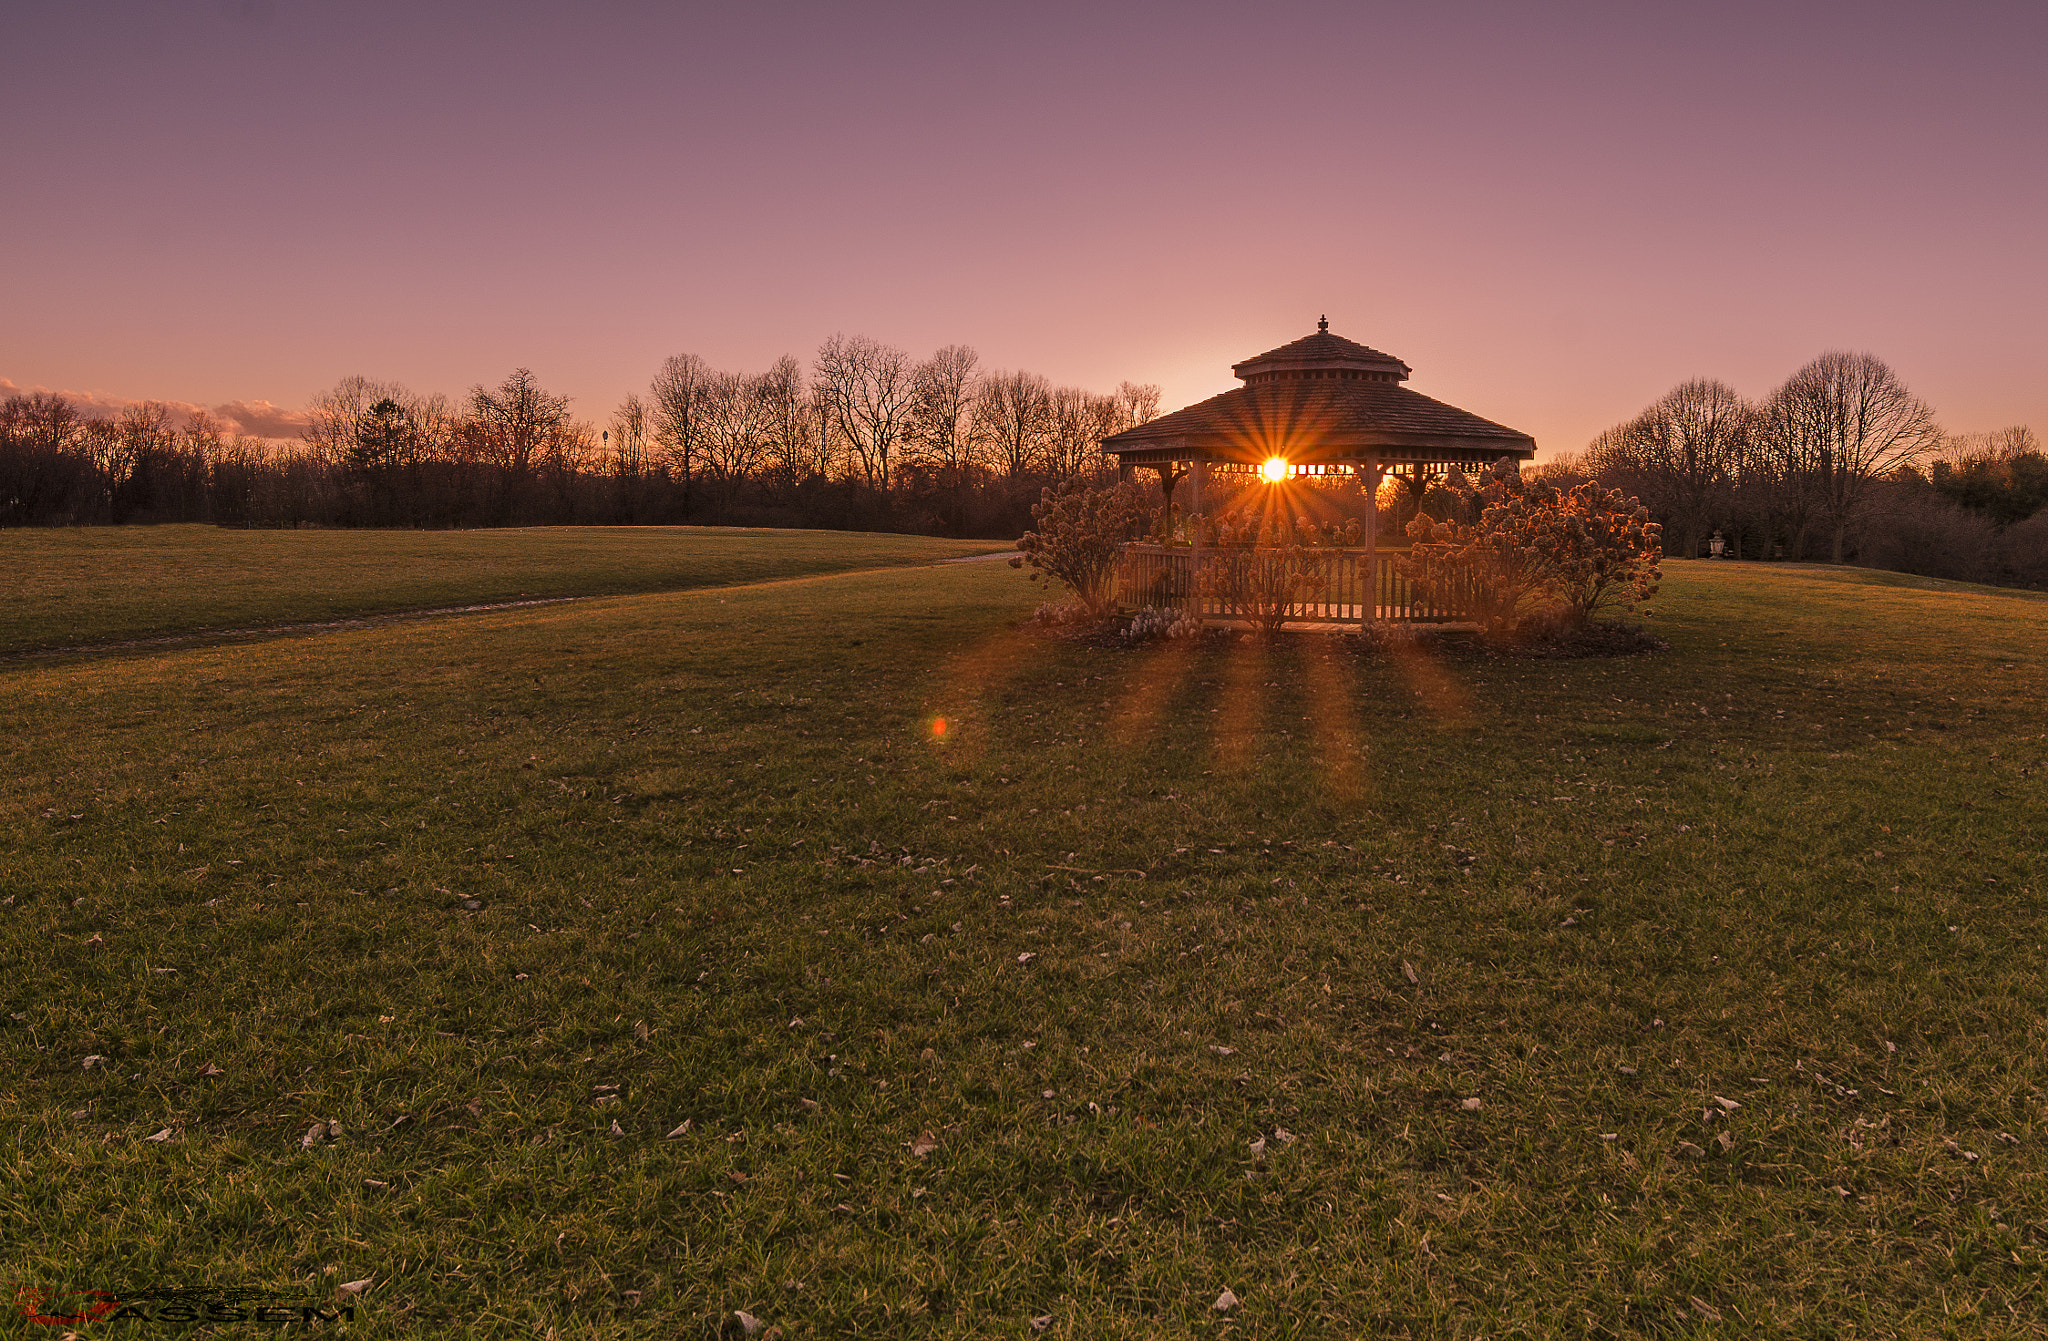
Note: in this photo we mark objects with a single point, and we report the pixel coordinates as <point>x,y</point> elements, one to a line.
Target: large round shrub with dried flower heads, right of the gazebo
<point>1539,556</point>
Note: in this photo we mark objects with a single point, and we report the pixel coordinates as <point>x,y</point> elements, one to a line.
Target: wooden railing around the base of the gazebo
<point>1334,591</point>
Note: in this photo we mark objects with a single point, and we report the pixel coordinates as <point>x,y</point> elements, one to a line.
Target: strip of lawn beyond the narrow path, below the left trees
<point>99,585</point>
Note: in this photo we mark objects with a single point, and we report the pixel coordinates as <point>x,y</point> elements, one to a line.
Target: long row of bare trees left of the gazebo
<point>865,439</point>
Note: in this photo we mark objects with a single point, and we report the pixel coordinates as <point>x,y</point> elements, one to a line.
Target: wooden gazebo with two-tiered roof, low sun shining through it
<point>1318,406</point>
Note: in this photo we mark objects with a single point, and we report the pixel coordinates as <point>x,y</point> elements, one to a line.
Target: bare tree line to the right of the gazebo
<point>1842,464</point>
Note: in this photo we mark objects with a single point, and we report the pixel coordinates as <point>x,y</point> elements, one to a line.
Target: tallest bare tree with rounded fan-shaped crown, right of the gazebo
<point>1844,423</point>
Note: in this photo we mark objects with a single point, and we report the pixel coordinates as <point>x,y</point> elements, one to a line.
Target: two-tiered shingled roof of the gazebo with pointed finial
<point>1320,400</point>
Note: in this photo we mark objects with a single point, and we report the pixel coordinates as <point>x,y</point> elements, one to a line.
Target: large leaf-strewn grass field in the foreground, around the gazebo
<point>663,957</point>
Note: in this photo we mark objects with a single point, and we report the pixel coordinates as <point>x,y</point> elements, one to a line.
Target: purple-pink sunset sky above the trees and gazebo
<point>1551,212</point>
